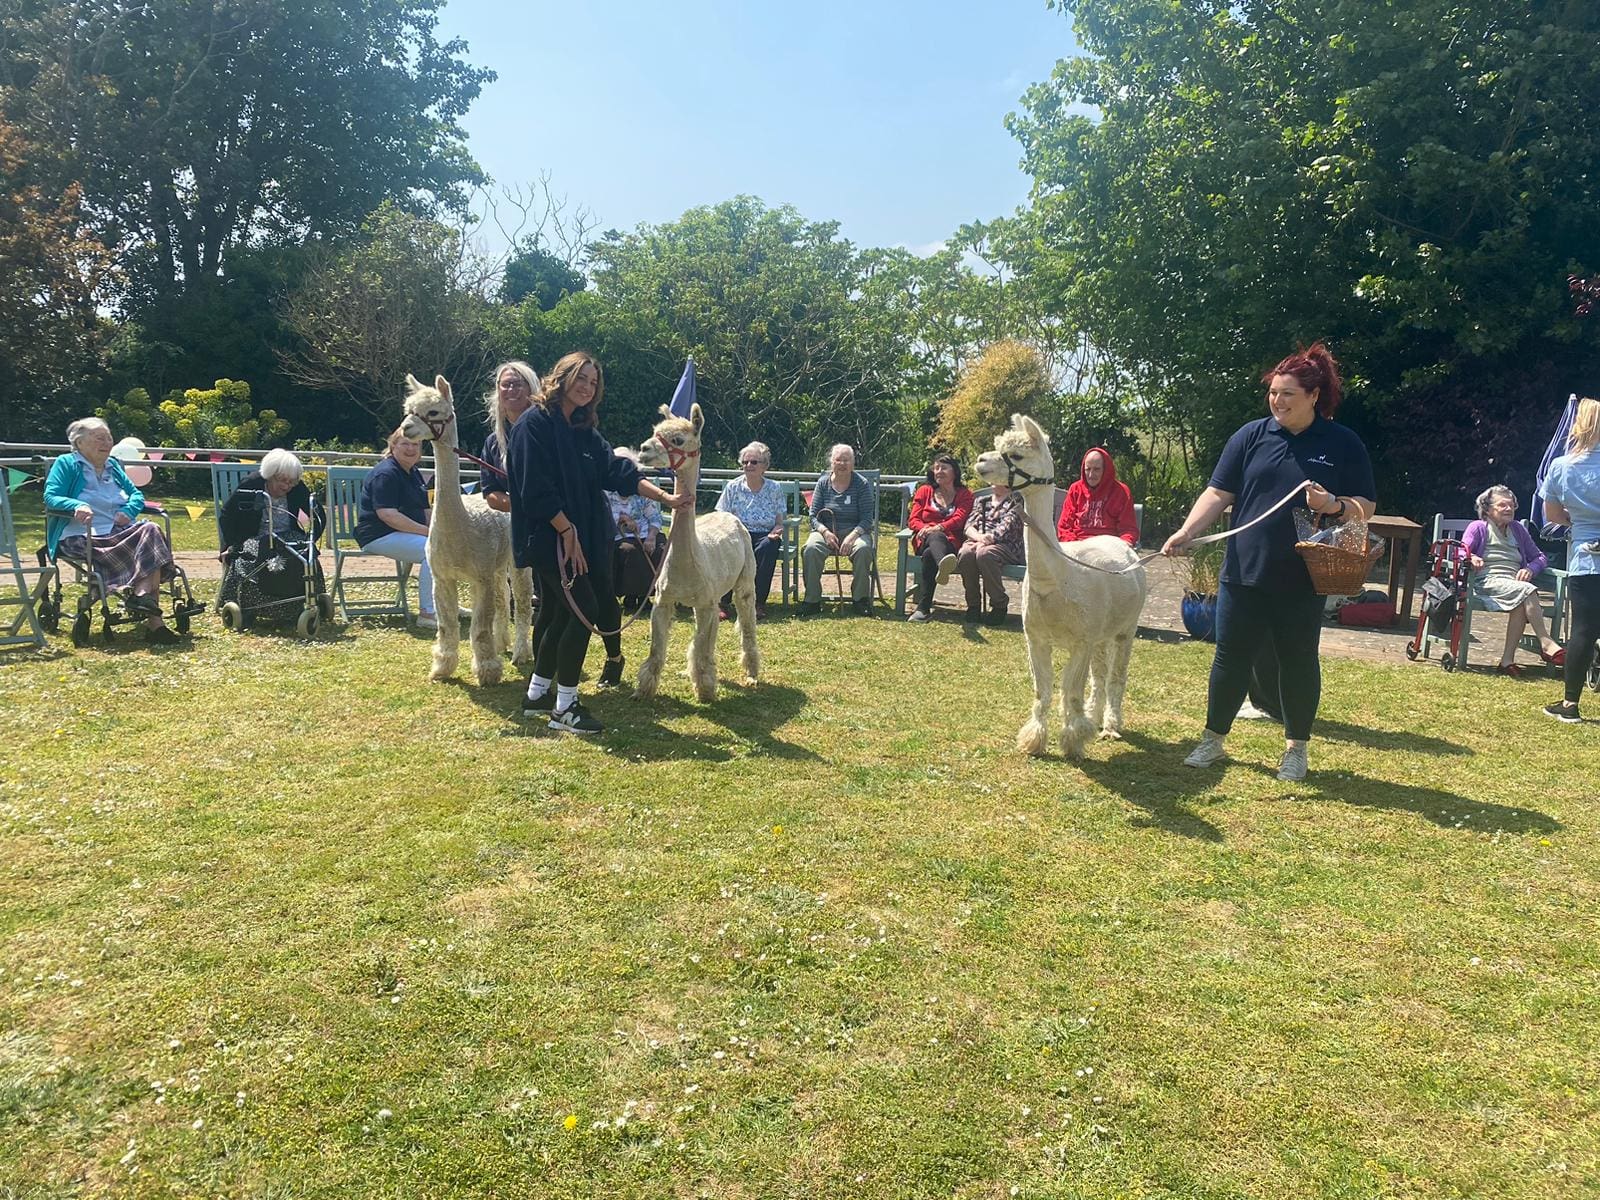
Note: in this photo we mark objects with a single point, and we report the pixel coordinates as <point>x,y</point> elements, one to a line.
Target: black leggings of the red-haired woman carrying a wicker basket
<point>1246,618</point>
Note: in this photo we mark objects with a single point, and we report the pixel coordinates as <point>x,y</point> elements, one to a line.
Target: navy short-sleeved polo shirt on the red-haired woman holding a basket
<point>1263,462</point>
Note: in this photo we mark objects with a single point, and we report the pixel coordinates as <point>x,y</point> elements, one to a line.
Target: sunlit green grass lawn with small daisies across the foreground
<point>287,921</point>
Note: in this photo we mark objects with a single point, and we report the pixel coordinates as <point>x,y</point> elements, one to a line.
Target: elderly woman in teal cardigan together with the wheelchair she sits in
<point>92,522</point>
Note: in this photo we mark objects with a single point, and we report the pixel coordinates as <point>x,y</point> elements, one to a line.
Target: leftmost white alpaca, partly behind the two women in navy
<point>466,542</point>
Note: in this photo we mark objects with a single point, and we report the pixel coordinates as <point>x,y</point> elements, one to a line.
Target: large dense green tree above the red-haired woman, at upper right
<point>1217,182</point>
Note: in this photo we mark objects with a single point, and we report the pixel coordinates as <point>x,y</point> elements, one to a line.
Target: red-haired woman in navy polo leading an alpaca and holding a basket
<point>1266,593</point>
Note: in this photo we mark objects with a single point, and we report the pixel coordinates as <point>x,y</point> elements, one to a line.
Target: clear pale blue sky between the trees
<point>887,118</point>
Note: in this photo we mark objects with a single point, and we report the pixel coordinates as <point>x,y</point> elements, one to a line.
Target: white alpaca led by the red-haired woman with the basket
<point>1068,604</point>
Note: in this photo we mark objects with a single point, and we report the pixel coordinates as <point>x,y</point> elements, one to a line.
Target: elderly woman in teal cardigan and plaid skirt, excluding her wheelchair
<point>90,497</point>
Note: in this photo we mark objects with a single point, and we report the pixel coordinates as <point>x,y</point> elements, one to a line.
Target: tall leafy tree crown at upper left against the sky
<point>201,127</point>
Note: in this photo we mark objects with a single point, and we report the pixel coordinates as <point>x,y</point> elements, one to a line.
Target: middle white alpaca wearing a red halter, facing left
<point>708,558</point>
